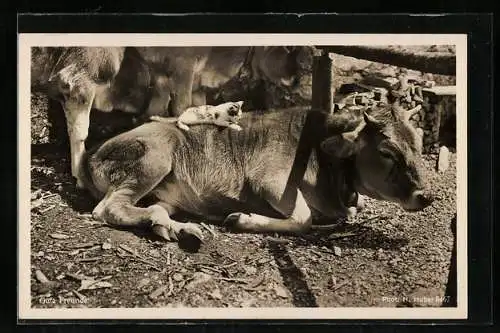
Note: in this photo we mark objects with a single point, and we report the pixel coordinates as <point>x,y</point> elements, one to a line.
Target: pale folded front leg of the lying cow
<point>298,221</point>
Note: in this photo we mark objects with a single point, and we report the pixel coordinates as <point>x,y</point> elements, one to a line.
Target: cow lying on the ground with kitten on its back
<point>269,177</point>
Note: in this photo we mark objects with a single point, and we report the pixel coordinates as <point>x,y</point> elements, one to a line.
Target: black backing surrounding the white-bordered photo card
<point>478,27</point>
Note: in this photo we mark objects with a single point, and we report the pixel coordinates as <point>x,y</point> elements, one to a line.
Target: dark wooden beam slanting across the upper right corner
<point>428,62</point>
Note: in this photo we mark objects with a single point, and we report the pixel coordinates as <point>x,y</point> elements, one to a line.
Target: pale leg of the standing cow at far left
<point>77,111</point>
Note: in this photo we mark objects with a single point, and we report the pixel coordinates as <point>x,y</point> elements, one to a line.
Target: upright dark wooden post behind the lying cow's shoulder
<point>323,89</point>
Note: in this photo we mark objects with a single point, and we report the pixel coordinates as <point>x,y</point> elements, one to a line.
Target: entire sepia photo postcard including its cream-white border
<point>185,177</point>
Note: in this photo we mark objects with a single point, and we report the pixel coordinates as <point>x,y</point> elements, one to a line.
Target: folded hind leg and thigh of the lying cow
<point>132,168</point>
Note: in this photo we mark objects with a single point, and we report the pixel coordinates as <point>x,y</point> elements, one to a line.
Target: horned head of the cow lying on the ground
<point>387,154</point>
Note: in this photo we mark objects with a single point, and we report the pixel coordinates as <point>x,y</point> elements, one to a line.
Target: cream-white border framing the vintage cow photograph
<point>28,40</point>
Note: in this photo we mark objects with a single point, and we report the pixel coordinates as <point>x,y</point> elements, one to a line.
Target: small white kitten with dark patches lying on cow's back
<point>226,115</point>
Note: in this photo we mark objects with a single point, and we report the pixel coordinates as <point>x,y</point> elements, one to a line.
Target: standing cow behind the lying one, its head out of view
<point>147,80</point>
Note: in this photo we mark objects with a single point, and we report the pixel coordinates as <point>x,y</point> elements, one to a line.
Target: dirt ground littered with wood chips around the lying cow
<point>382,256</point>
